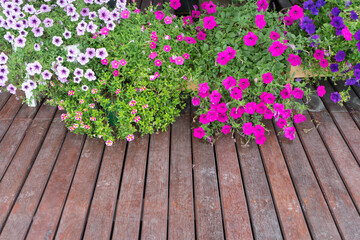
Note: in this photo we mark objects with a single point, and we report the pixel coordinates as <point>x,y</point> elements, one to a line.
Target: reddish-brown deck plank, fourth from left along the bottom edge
<point>104,201</point>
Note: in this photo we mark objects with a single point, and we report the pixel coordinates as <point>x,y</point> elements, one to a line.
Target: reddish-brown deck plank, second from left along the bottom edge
<point>49,211</point>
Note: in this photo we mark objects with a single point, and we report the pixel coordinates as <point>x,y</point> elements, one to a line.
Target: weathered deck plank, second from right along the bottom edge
<point>317,213</point>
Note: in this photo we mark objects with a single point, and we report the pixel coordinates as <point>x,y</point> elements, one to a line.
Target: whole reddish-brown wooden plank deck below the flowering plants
<point>57,185</point>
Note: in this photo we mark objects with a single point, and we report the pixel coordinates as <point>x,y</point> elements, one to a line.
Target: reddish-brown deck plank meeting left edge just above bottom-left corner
<point>20,165</point>
